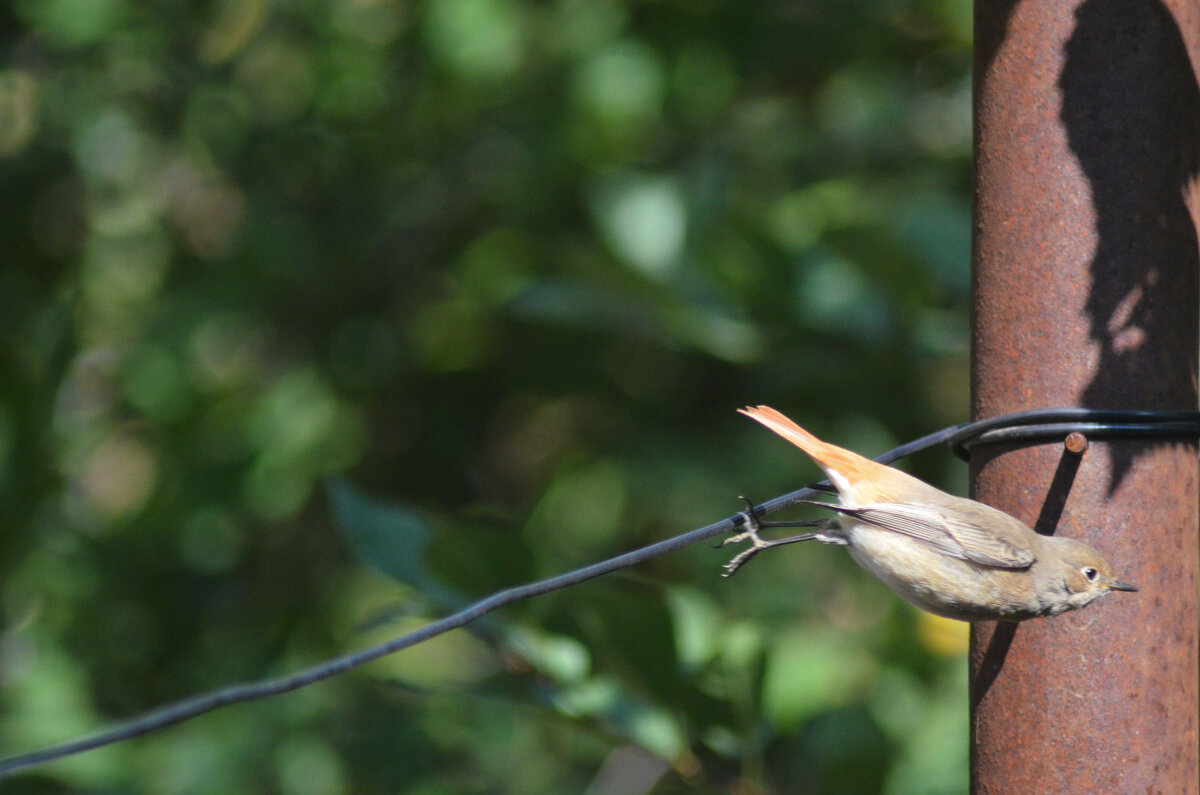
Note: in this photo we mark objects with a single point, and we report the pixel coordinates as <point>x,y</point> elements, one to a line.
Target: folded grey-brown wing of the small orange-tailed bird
<point>957,530</point>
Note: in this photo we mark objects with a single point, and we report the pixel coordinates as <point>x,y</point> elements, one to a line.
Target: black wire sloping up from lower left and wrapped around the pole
<point>1029,426</point>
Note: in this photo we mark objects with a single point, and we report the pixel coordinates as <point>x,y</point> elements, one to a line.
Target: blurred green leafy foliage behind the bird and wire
<point>319,318</point>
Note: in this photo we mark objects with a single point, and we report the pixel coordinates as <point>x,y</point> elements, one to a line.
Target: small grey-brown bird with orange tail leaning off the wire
<point>952,557</point>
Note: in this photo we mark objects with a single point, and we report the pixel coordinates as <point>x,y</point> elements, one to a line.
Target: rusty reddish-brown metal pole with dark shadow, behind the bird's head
<point>1085,294</point>
